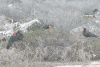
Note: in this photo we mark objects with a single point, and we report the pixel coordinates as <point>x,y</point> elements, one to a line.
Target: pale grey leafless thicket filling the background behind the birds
<point>61,14</point>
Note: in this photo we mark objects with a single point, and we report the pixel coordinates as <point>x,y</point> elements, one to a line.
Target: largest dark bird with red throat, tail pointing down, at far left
<point>17,36</point>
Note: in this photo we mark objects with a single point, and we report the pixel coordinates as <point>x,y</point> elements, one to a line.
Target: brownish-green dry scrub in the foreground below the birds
<point>42,45</point>
